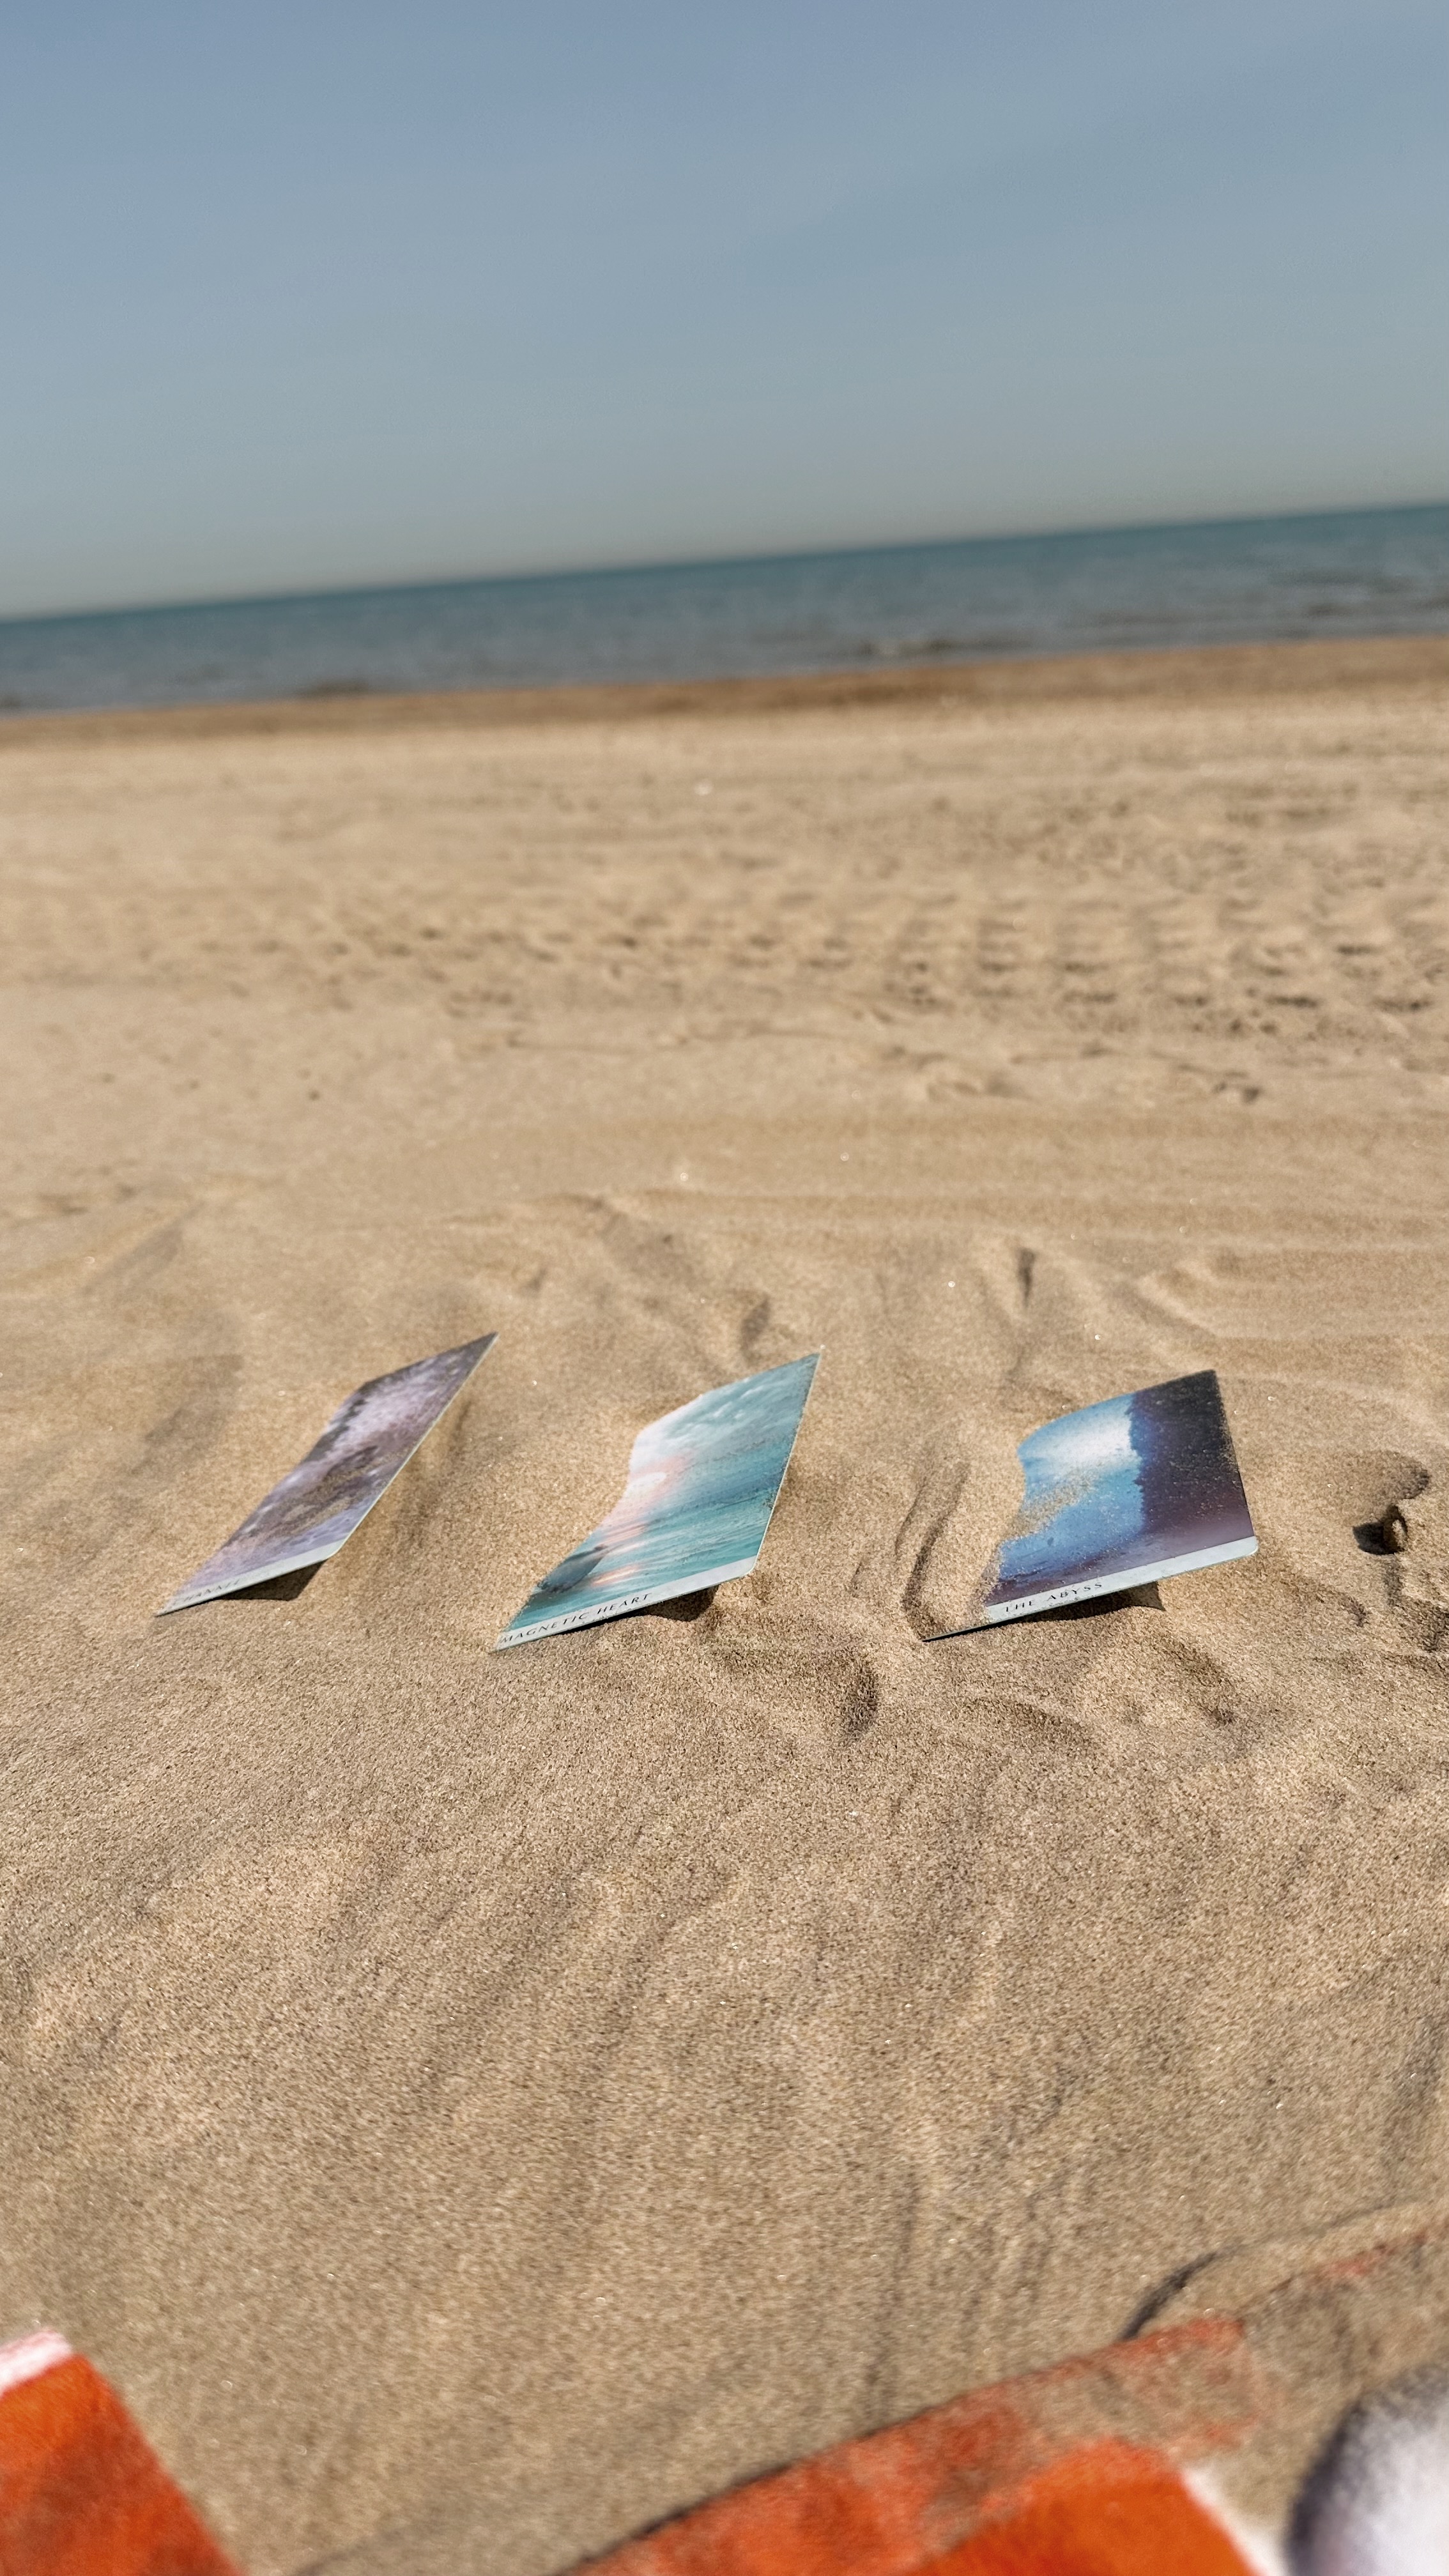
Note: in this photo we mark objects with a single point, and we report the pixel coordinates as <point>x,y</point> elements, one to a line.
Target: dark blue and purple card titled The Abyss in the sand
<point>1118,1495</point>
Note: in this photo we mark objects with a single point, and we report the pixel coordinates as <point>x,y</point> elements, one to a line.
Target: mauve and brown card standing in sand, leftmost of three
<point>318,1503</point>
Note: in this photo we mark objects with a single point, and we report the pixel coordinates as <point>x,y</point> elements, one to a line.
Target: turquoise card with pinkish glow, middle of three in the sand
<point>695,1511</point>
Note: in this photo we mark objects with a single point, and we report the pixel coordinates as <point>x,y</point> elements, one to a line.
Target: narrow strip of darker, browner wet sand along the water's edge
<point>1177,671</point>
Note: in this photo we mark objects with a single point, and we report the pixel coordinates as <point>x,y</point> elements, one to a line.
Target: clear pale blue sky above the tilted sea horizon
<point>342,290</point>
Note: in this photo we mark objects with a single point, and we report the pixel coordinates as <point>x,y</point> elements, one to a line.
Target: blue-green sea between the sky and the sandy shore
<point>1252,581</point>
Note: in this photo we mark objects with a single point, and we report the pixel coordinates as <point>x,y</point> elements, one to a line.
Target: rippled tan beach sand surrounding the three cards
<point>476,2106</point>
